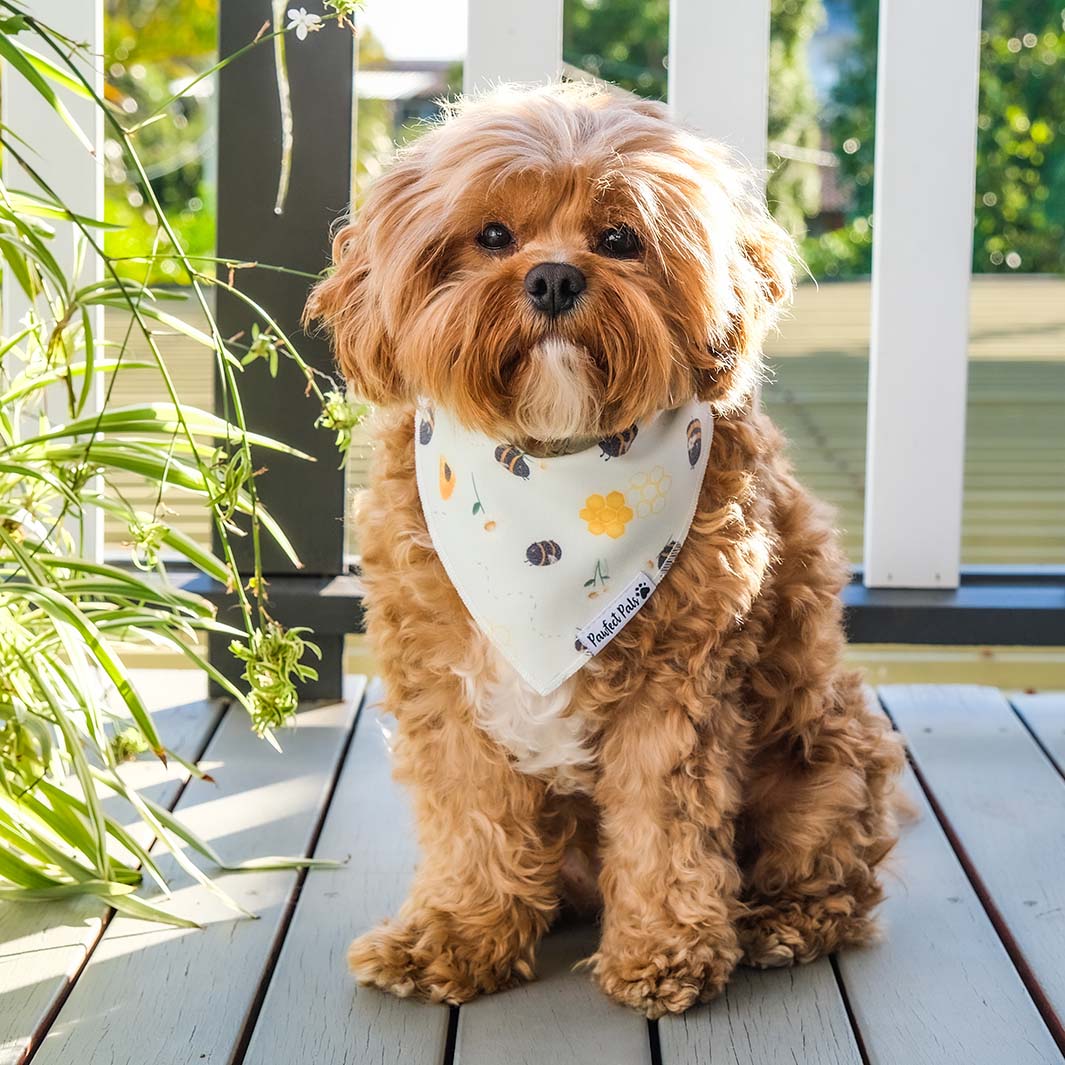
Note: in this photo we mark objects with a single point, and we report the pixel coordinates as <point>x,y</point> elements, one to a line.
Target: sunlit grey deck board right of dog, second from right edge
<point>1006,806</point>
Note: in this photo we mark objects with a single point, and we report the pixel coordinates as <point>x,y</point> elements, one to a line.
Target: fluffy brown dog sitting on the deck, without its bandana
<point>714,772</point>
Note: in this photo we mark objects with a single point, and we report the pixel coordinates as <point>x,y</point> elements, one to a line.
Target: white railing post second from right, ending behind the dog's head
<point>719,72</point>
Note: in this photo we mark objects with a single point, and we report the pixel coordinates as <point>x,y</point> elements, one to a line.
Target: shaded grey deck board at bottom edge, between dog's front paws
<point>562,1018</point>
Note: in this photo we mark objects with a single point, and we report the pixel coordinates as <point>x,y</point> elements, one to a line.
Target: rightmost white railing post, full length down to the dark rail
<point>927,83</point>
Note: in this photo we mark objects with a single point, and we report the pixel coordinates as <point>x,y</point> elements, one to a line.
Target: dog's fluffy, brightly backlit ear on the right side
<point>762,275</point>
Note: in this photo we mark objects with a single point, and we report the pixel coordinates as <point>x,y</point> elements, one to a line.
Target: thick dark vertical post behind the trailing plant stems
<point>307,499</point>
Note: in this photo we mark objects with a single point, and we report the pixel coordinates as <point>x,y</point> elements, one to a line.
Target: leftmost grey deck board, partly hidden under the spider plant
<point>42,945</point>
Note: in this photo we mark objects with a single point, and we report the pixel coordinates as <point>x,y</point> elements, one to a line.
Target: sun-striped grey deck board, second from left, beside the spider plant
<point>155,995</point>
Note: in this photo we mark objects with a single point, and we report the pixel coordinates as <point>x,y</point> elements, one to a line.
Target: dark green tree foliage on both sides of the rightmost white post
<point>1021,142</point>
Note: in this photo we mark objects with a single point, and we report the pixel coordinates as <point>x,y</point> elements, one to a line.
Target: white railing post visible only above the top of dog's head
<point>513,41</point>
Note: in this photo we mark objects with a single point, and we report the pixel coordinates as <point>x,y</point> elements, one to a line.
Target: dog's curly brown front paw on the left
<point>427,957</point>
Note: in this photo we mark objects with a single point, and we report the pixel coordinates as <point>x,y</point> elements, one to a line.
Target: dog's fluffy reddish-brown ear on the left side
<point>352,301</point>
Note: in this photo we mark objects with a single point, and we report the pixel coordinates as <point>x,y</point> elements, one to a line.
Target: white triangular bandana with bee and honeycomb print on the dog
<point>553,556</point>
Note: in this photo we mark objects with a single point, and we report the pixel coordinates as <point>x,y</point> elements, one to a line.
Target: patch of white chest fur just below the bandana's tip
<point>544,740</point>
